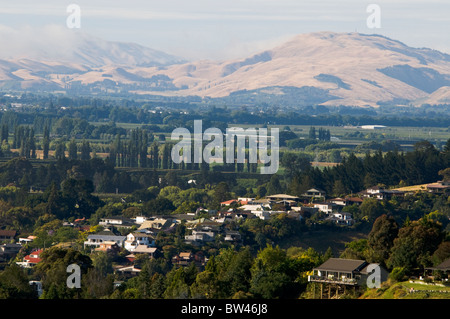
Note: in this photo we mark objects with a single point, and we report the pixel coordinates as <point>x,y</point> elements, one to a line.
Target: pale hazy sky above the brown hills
<point>222,29</point>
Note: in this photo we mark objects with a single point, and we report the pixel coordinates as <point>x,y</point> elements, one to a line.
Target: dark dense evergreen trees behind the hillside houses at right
<point>355,174</point>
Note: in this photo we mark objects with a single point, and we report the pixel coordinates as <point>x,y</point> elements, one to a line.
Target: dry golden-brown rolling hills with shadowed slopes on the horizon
<point>317,68</point>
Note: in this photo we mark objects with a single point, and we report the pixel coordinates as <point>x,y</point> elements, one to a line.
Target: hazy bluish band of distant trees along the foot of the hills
<point>161,112</point>
